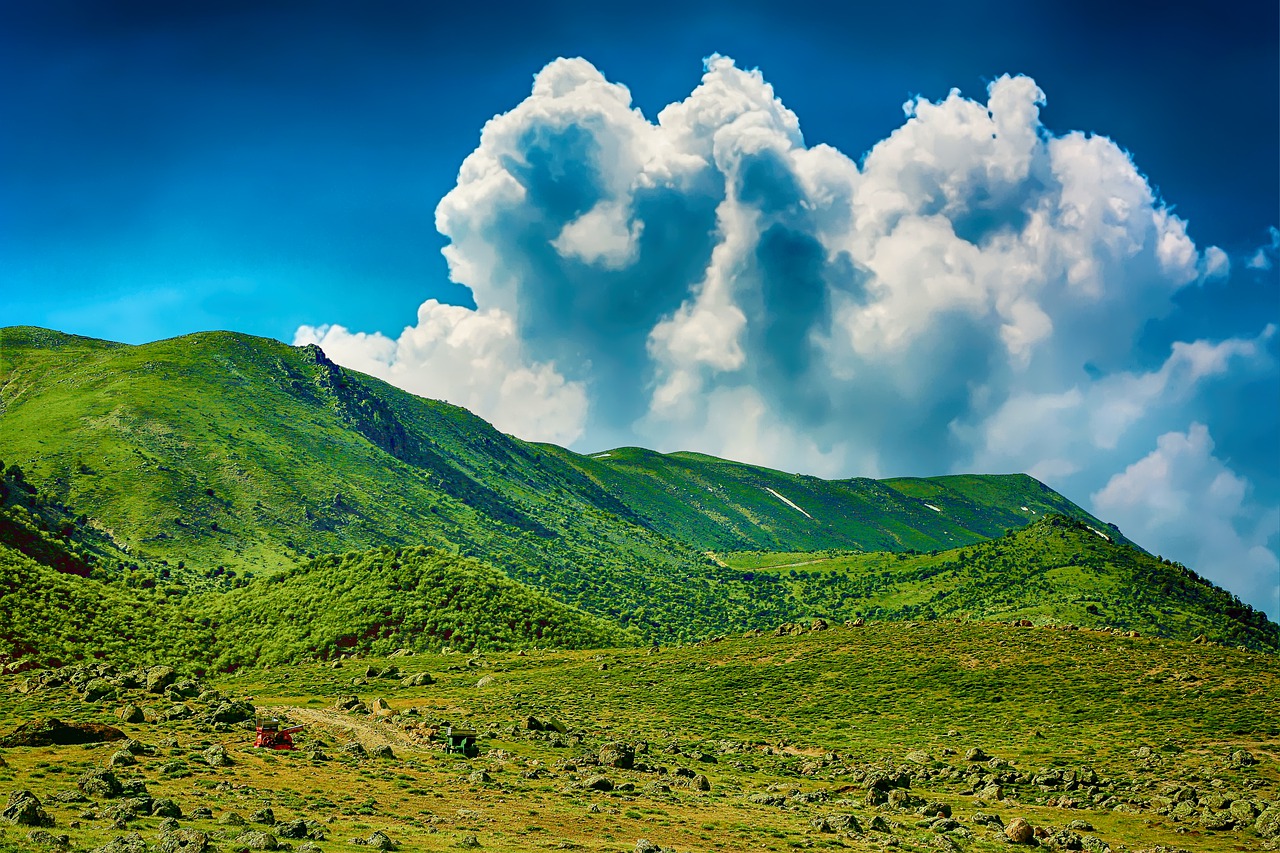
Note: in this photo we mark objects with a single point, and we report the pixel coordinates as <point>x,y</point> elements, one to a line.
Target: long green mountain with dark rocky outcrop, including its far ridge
<point>216,459</point>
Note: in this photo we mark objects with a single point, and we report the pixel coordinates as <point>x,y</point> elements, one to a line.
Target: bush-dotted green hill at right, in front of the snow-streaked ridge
<point>1055,571</point>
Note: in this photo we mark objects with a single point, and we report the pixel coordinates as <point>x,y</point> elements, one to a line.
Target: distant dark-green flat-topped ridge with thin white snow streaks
<point>729,507</point>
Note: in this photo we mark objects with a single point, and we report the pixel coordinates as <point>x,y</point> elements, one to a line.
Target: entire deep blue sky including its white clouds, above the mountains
<point>278,168</point>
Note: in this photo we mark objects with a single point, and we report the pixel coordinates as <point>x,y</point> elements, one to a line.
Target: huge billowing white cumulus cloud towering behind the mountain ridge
<point>967,297</point>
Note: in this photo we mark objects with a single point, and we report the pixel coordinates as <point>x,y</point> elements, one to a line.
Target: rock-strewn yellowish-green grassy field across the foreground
<point>1099,740</point>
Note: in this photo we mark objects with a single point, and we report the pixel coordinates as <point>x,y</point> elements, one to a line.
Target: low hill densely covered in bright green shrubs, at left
<point>381,600</point>
